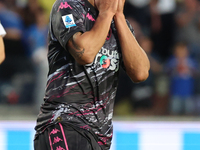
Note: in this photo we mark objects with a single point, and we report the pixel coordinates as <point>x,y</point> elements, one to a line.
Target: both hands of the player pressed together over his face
<point>110,6</point>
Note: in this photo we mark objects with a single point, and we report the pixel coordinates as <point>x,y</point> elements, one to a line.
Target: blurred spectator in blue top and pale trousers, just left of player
<point>36,41</point>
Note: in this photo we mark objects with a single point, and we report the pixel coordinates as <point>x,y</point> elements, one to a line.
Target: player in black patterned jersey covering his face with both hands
<point>88,42</point>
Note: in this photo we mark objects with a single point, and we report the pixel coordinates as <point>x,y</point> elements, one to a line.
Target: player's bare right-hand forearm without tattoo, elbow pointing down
<point>135,59</point>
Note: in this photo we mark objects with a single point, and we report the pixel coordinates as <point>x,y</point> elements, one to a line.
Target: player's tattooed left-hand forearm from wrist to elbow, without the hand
<point>91,41</point>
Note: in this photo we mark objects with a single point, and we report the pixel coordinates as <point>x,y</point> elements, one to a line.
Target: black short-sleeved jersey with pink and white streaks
<point>82,96</point>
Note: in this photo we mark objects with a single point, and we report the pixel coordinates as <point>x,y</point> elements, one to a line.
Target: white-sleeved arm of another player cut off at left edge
<point>2,48</point>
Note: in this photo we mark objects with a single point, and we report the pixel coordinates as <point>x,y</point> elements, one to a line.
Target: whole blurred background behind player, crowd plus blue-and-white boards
<point>160,113</point>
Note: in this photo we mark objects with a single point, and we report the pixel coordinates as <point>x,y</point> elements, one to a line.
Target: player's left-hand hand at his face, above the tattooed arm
<point>107,6</point>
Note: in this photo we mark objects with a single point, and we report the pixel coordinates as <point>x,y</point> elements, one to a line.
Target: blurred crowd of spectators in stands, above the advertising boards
<point>168,30</point>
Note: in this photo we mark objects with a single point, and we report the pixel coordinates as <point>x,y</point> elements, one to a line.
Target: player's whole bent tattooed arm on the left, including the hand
<point>84,46</point>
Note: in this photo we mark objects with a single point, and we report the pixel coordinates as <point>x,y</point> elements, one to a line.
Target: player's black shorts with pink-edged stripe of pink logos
<point>64,137</point>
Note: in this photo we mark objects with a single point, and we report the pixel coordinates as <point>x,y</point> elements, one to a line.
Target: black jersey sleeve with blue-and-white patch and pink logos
<point>66,20</point>
